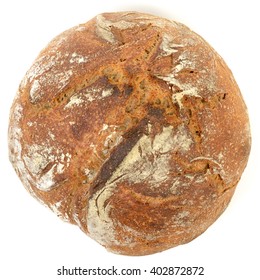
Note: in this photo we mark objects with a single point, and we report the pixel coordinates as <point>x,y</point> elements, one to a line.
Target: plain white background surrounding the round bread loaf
<point>34,243</point>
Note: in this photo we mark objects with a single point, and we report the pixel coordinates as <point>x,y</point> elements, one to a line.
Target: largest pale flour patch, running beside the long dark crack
<point>136,168</point>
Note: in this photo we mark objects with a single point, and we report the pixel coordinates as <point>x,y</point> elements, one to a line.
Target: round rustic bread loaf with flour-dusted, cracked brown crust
<point>132,127</point>
